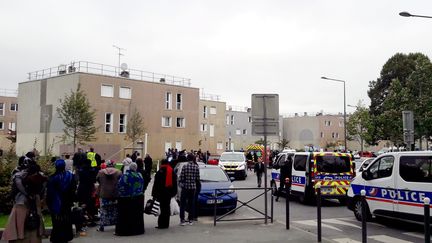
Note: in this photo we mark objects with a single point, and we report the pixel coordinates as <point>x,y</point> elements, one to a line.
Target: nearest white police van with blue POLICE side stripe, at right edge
<point>395,184</point>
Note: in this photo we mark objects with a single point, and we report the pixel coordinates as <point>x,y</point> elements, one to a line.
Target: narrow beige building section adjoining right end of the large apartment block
<point>212,124</point>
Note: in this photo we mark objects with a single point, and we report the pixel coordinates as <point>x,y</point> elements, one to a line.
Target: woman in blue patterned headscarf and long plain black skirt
<point>130,220</point>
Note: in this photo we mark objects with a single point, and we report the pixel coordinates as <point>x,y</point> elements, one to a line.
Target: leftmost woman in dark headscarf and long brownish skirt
<point>28,186</point>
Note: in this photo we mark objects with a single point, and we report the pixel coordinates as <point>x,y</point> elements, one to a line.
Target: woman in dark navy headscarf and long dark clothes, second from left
<point>60,197</point>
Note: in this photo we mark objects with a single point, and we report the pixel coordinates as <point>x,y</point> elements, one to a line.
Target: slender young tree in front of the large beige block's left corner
<point>78,117</point>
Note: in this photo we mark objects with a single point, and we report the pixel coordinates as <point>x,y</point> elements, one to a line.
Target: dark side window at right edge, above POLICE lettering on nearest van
<point>416,168</point>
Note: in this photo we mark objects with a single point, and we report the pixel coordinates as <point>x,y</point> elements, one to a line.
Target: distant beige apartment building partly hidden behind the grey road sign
<point>239,129</point>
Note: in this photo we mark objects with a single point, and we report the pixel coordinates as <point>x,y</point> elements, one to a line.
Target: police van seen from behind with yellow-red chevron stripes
<point>331,170</point>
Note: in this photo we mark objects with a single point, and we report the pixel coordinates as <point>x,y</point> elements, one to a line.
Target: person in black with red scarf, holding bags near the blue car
<point>164,188</point>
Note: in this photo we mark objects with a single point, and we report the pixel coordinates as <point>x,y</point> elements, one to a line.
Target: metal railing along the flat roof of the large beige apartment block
<point>109,70</point>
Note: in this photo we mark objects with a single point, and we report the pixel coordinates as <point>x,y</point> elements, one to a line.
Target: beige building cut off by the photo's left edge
<point>8,117</point>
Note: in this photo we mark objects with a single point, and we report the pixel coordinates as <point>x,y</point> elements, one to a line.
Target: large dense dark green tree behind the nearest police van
<point>404,84</point>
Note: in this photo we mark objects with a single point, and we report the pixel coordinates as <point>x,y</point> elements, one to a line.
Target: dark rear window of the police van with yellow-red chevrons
<point>333,164</point>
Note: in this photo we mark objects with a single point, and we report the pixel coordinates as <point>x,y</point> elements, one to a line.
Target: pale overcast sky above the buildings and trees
<point>230,48</point>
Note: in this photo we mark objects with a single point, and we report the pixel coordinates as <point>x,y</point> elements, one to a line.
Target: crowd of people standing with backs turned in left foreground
<point>87,191</point>
